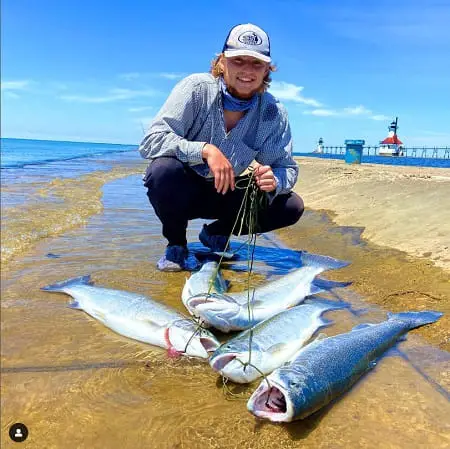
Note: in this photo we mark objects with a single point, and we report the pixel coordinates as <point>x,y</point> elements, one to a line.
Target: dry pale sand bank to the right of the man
<point>398,207</point>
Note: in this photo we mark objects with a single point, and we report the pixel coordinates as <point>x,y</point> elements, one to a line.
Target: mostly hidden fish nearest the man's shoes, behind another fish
<point>208,279</point>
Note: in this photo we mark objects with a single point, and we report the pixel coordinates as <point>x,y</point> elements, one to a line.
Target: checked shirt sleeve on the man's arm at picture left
<point>167,132</point>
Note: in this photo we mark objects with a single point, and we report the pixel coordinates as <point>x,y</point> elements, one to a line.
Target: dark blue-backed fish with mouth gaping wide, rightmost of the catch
<point>324,369</point>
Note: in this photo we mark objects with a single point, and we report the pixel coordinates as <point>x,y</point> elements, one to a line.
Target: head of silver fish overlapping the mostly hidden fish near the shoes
<point>215,309</point>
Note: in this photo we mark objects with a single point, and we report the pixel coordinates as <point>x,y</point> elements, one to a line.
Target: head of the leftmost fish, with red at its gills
<point>186,337</point>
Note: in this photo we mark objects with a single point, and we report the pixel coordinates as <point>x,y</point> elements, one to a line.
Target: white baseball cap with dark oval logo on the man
<point>247,40</point>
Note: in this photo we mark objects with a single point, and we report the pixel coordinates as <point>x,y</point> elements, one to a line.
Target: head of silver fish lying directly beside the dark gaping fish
<point>237,364</point>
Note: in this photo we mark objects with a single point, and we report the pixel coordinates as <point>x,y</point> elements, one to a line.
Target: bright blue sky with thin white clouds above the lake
<point>99,70</point>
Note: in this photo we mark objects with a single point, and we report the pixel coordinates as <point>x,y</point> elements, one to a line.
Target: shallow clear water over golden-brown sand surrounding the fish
<point>75,383</point>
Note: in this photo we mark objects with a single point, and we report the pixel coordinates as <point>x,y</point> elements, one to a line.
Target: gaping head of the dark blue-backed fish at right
<point>281,397</point>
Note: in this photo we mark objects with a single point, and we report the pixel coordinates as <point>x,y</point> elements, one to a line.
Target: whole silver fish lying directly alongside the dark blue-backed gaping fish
<point>273,341</point>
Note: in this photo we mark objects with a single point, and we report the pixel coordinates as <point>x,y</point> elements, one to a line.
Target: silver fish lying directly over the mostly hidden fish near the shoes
<point>243,310</point>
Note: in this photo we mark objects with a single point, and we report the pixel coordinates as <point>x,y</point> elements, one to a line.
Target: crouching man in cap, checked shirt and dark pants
<point>210,129</point>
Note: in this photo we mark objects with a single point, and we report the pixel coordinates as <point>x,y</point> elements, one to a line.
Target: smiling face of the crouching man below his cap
<point>244,75</point>
